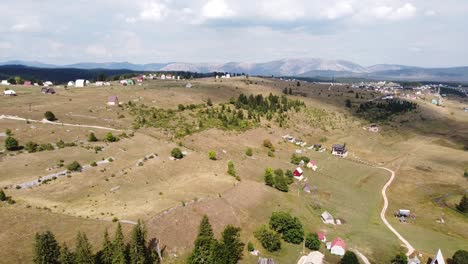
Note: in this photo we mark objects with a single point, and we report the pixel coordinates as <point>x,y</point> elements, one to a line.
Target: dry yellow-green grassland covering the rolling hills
<point>424,148</point>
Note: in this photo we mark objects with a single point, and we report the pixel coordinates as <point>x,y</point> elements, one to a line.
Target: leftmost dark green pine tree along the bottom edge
<point>46,249</point>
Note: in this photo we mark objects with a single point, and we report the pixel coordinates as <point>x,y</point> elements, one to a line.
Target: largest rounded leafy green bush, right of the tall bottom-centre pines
<point>287,225</point>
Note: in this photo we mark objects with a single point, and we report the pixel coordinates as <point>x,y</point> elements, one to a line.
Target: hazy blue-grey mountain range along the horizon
<point>307,67</point>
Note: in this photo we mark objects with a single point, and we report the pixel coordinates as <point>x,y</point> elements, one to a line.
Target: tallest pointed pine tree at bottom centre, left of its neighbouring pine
<point>203,244</point>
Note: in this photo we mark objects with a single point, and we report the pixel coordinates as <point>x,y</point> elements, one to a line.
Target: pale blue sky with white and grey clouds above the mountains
<point>431,33</point>
